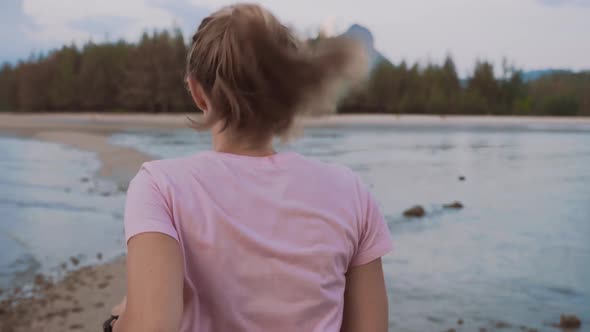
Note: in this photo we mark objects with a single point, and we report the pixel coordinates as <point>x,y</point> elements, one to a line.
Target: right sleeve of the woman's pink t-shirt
<point>374,238</point>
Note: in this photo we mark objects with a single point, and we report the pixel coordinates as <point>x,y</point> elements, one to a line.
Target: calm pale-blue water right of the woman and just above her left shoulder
<point>518,253</point>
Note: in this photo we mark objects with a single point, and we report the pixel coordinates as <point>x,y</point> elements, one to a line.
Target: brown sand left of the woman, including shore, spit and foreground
<point>83,299</point>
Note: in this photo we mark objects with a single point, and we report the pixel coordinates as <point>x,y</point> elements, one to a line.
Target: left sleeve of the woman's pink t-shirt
<point>146,209</point>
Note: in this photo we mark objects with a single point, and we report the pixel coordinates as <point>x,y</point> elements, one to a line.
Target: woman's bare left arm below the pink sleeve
<point>155,278</point>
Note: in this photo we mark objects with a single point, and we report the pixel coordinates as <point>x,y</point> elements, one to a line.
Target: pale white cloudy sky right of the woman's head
<point>528,32</point>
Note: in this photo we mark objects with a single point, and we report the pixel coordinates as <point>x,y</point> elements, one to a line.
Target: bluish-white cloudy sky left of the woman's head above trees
<point>34,25</point>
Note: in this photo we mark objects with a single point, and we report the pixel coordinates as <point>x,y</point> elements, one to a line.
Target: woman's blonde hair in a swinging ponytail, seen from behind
<point>258,76</point>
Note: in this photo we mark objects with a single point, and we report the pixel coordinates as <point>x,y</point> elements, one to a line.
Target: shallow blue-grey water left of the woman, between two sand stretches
<point>52,208</point>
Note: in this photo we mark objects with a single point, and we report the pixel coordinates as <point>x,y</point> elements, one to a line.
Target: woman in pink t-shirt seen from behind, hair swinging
<point>243,238</point>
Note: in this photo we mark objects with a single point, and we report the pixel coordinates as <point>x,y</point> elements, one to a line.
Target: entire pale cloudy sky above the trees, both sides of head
<point>531,34</point>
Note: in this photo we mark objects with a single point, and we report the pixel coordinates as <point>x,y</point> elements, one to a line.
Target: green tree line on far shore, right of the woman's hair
<point>437,89</point>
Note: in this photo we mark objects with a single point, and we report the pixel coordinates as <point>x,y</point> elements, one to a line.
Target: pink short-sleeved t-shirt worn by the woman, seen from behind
<point>266,240</point>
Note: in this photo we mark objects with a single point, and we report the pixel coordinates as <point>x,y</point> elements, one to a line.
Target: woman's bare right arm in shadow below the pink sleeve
<point>365,299</point>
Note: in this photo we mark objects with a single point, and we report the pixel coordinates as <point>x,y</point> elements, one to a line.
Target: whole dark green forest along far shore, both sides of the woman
<point>147,76</point>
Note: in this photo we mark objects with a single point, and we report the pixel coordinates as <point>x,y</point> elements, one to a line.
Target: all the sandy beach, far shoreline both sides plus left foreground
<point>82,300</point>
